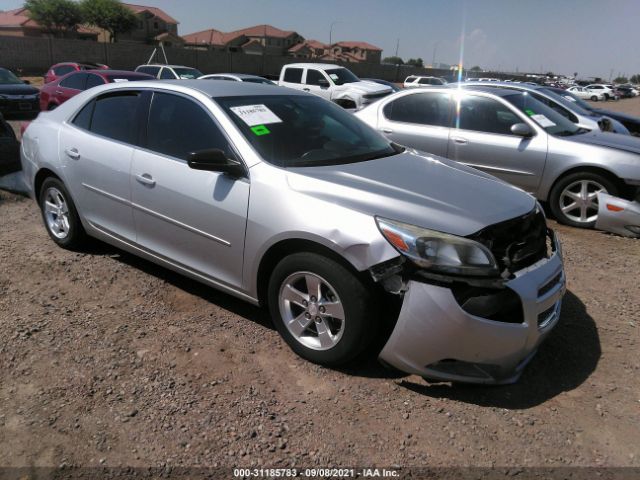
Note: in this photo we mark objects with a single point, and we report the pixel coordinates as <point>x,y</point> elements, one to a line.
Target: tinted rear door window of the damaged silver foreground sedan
<point>114,116</point>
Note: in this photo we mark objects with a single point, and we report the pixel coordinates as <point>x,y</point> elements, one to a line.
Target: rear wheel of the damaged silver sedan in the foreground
<point>60,215</point>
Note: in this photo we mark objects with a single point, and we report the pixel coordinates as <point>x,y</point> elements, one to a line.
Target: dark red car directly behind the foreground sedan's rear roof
<point>59,91</point>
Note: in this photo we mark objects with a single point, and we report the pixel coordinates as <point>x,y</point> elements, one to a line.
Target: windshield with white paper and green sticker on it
<point>301,131</point>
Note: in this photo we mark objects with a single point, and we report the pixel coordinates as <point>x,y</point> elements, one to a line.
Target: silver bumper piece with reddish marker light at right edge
<point>617,215</point>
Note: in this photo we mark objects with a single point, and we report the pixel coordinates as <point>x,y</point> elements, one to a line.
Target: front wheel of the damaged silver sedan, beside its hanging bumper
<point>324,312</point>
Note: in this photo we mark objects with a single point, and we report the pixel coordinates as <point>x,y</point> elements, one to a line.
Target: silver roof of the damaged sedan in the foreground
<point>210,89</point>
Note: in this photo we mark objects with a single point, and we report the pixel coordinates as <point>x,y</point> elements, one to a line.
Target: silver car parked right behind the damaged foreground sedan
<point>516,137</point>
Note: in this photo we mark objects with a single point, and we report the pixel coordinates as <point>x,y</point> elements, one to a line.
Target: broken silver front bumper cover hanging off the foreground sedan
<point>436,339</point>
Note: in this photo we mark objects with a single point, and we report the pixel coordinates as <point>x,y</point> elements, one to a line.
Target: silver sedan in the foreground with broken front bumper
<point>284,199</point>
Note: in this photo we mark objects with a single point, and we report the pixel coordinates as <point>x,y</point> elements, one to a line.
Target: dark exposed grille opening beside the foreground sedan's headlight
<point>516,243</point>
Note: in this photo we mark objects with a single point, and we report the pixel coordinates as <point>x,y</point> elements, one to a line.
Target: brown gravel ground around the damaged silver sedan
<point>110,360</point>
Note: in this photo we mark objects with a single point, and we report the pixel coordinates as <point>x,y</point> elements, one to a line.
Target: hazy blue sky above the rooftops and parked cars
<point>591,37</point>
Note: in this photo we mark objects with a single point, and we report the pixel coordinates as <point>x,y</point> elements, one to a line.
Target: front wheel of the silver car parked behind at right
<point>574,201</point>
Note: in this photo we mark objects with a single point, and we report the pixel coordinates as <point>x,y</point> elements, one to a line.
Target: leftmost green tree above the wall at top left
<point>59,17</point>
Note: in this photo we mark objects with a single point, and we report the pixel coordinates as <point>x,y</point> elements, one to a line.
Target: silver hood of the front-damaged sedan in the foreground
<point>427,191</point>
